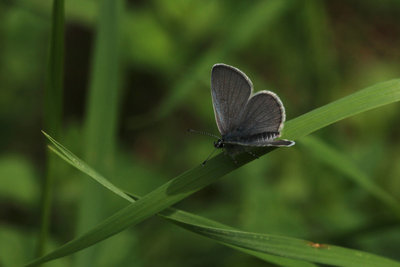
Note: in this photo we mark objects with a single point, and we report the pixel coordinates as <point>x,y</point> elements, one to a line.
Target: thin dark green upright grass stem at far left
<point>52,112</point>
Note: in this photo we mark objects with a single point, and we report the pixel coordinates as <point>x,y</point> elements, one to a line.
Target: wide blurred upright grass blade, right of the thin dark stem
<point>101,119</point>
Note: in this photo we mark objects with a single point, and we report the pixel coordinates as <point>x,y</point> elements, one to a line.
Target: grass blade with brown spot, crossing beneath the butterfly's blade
<point>258,245</point>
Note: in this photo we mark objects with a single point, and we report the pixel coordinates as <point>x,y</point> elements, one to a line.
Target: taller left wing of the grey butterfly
<point>230,90</point>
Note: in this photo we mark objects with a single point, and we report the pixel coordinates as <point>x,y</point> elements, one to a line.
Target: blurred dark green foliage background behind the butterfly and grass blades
<point>309,52</point>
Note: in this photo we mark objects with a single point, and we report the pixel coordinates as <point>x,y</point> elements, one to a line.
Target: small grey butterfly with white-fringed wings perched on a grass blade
<point>244,119</point>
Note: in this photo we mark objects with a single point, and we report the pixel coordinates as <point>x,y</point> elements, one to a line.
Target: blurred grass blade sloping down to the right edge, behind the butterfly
<point>342,163</point>
